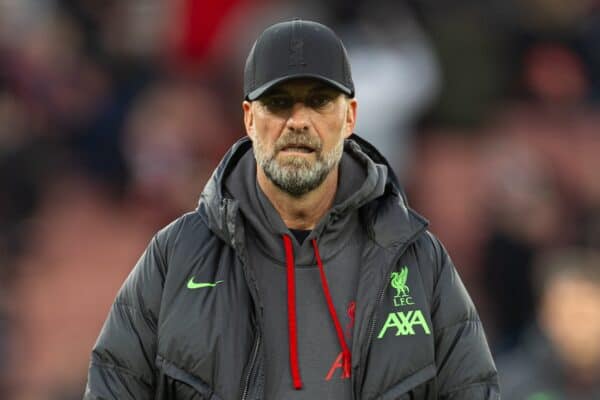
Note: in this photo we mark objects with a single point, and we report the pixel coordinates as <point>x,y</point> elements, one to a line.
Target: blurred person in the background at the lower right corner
<point>559,357</point>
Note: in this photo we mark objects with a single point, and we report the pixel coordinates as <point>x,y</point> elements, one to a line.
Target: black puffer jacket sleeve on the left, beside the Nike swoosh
<point>122,360</point>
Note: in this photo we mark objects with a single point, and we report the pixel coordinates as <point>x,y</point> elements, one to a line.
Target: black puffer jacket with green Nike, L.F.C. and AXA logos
<point>417,334</point>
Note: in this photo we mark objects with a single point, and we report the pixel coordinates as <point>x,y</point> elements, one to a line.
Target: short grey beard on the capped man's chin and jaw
<point>296,176</point>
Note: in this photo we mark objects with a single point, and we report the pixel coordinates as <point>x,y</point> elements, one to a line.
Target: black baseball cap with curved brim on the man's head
<point>296,49</point>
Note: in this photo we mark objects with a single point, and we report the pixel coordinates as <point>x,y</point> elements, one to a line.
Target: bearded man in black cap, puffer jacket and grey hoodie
<point>302,274</point>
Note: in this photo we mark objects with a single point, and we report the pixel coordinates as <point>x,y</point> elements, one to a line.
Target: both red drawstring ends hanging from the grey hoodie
<point>292,325</point>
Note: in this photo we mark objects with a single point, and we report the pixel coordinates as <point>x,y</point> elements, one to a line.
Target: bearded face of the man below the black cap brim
<point>298,130</point>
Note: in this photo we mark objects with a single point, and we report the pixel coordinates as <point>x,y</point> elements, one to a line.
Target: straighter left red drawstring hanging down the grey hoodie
<point>292,328</point>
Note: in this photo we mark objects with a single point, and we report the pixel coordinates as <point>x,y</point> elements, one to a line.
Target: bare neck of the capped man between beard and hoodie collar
<point>302,212</point>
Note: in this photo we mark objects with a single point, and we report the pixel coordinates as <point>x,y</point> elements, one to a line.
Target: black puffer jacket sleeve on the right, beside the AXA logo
<point>465,366</point>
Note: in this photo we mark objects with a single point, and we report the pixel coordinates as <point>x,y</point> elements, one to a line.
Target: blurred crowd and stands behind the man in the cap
<point>114,113</point>
